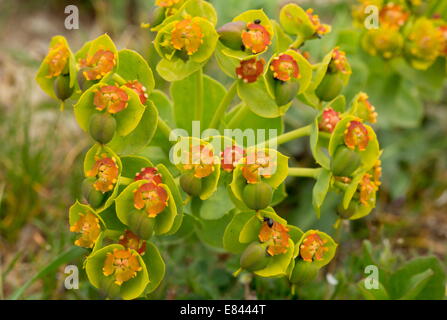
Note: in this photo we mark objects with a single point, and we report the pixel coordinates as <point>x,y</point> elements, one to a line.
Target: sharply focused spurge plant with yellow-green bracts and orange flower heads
<point>217,184</point>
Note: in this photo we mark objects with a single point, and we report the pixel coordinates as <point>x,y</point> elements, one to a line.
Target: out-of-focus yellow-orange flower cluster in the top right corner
<point>407,29</point>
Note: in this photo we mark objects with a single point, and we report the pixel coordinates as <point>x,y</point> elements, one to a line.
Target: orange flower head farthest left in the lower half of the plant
<point>88,226</point>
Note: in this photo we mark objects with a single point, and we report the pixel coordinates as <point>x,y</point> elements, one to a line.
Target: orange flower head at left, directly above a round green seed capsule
<point>110,98</point>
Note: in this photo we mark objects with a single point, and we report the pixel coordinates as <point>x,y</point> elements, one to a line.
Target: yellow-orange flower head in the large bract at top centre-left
<point>187,35</point>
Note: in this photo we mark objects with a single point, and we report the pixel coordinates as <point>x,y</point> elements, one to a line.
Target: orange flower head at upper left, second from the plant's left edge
<point>98,65</point>
